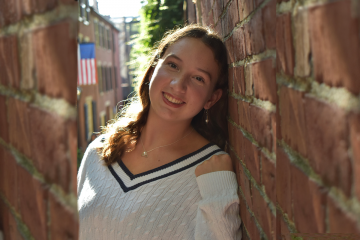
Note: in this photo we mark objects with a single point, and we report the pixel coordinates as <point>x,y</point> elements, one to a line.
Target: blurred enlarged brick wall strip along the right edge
<point>318,137</point>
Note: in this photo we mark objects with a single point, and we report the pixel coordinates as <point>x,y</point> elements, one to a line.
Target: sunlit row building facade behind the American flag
<point>97,103</point>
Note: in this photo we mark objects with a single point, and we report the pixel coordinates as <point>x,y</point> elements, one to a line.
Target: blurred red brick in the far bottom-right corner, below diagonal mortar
<point>341,221</point>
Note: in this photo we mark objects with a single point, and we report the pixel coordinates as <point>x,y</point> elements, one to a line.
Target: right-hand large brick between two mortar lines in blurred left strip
<point>54,146</point>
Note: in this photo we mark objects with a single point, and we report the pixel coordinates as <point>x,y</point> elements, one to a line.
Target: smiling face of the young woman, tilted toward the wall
<point>183,81</point>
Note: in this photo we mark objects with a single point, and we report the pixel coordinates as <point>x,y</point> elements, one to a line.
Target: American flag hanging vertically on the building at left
<point>86,64</point>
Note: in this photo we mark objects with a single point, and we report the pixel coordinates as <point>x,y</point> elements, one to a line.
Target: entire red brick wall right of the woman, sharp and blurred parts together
<point>294,112</point>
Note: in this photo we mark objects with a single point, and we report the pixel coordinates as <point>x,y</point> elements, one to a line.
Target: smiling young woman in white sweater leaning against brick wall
<point>159,171</point>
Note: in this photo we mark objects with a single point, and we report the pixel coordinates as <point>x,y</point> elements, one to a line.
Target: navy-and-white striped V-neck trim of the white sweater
<point>129,181</point>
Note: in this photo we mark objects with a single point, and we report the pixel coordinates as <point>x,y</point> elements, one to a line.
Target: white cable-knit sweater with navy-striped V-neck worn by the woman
<point>169,202</point>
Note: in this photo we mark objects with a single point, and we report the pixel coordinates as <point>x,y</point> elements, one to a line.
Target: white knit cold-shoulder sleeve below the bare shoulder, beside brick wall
<point>218,211</point>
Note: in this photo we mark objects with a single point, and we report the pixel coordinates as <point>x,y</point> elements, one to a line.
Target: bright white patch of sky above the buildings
<point>118,8</point>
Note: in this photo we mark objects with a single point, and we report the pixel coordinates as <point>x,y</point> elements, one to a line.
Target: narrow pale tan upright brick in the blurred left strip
<point>27,63</point>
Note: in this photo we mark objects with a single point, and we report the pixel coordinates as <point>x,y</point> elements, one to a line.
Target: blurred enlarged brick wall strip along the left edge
<point>38,133</point>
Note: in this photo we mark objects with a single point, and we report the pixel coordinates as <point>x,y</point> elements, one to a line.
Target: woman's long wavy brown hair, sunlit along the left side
<point>126,128</point>
